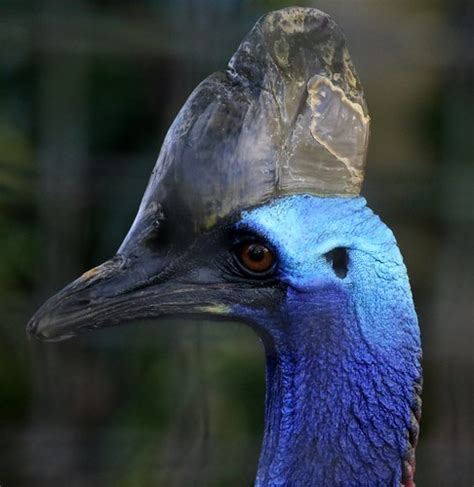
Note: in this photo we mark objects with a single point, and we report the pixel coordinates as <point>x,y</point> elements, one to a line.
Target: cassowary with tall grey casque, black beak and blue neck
<point>253,213</point>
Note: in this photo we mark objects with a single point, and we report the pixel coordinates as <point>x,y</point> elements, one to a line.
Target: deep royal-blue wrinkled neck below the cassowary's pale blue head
<point>337,413</point>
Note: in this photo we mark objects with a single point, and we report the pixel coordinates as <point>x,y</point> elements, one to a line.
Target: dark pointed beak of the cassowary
<point>120,290</point>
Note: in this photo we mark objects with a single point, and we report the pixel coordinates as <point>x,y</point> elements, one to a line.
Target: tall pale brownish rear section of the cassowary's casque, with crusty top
<point>321,116</point>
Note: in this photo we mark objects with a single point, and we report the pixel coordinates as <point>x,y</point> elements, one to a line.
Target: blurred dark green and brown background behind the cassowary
<point>88,89</point>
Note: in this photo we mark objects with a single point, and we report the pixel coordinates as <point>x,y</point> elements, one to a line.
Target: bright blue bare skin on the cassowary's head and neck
<point>343,353</point>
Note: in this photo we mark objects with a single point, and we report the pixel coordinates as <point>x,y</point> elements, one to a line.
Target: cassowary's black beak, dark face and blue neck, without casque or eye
<point>341,335</point>
